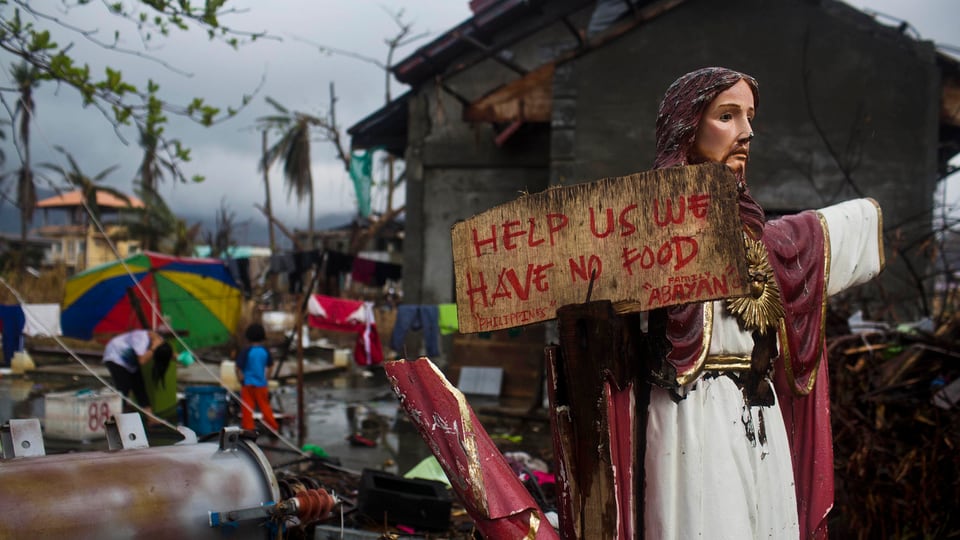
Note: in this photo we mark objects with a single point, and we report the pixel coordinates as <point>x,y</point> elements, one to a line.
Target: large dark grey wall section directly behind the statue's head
<point>839,97</point>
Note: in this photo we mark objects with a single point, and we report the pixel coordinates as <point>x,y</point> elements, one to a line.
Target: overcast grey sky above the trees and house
<point>297,75</point>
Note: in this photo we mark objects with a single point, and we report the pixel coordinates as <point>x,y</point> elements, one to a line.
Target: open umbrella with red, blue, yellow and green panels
<point>198,298</point>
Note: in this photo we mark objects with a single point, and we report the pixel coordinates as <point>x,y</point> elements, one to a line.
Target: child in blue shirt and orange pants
<point>252,364</point>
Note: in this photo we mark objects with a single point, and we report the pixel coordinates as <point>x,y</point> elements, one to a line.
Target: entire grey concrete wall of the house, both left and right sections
<point>840,96</point>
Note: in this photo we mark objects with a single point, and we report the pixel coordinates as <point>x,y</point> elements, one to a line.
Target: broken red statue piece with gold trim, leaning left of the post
<point>496,500</point>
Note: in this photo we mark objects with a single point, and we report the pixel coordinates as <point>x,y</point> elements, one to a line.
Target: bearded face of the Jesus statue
<point>724,133</point>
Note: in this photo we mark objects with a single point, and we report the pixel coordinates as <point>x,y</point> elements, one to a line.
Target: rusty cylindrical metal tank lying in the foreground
<point>131,490</point>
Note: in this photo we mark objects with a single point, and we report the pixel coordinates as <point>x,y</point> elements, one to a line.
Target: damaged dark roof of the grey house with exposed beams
<point>497,24</point>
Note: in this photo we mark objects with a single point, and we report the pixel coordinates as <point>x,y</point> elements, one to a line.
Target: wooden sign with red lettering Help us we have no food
<point>649,240</point>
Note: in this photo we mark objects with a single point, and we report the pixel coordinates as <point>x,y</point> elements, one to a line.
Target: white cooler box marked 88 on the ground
<point>79,415</point>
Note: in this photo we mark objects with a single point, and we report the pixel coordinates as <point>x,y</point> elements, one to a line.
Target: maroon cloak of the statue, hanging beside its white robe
<point>795,246</point>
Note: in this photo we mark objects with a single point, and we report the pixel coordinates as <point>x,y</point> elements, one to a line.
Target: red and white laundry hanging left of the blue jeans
<point>342,315</point>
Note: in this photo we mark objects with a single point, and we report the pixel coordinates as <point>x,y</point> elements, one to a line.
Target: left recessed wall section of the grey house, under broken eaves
<point>455,170</point>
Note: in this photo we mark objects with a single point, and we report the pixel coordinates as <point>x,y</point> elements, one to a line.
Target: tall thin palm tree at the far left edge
<point>27,78</point>
